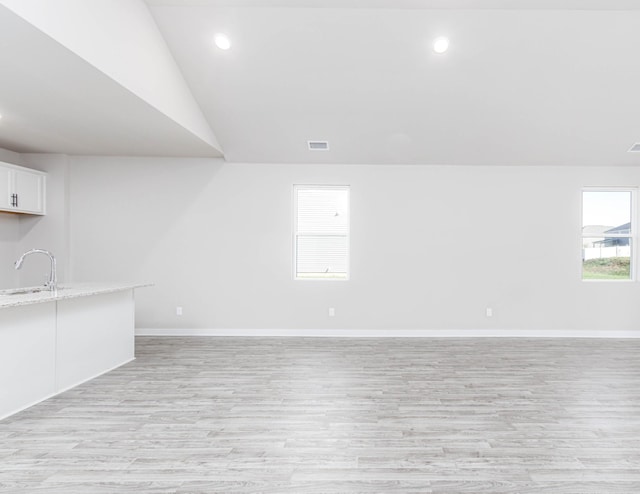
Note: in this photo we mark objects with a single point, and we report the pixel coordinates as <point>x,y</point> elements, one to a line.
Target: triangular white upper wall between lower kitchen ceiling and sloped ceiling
<point>120,38</point>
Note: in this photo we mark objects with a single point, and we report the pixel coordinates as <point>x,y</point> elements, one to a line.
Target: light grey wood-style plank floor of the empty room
<point>303,415</point>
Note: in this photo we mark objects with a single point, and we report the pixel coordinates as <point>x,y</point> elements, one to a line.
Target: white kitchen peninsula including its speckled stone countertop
<point>53,340</point>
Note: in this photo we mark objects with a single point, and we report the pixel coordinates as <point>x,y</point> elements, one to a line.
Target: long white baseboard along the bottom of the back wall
<point>388,333</point>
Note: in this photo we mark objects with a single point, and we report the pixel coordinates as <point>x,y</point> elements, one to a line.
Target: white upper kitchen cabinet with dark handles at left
<point>22,190</point>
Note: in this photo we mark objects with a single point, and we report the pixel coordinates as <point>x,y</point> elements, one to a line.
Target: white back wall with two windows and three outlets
<point>431,247</point>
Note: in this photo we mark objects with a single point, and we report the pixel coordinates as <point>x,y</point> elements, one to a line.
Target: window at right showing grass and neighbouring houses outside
<point>608,234</point>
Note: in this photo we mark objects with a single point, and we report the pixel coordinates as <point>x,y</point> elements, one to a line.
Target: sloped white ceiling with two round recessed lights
<point>516,87</point>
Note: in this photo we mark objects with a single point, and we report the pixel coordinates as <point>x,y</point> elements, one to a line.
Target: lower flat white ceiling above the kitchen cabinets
<point>51,100</point>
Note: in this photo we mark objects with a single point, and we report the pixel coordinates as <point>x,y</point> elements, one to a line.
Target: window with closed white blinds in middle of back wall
<point>321,232</point>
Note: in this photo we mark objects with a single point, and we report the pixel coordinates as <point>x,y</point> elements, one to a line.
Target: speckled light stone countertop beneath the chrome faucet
<point>9,298</point>
